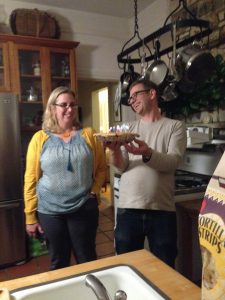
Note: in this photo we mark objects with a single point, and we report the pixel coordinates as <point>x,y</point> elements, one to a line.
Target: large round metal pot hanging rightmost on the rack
<point>194,63</point>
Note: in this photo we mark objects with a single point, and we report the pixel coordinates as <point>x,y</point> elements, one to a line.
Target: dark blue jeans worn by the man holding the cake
<point>133,225</point>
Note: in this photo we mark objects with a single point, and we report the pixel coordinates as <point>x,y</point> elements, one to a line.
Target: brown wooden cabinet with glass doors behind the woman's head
<point>31,68</point>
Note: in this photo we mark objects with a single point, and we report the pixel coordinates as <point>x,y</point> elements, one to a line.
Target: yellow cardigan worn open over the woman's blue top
<point>33,170</point>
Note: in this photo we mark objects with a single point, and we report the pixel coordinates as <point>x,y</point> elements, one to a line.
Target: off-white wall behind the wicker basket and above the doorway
<point>99,43</point>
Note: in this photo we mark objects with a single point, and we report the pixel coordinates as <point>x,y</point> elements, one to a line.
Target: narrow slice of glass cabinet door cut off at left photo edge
<point>4,68</point>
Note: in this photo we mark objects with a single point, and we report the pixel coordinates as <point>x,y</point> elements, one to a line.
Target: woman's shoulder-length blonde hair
<point>50,122</point>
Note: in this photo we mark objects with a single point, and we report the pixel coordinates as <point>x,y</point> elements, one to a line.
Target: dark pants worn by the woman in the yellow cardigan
<point>73,231</point>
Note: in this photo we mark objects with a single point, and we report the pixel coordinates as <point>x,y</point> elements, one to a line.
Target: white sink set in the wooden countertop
<point>118,277</point>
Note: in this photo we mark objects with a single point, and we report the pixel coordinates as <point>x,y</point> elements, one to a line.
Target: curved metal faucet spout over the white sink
<point>97,287</point>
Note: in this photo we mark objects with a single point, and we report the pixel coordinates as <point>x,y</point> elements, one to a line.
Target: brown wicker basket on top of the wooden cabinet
<point>34,22</point>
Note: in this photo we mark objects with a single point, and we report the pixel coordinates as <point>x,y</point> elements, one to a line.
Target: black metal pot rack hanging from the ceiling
<point>125,58</point>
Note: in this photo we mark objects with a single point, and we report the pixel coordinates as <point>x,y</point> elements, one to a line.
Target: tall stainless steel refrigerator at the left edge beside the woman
<point>12,228</point>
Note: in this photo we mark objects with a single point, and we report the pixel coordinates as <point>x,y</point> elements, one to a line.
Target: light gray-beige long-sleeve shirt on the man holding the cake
<point>151,185</point>
